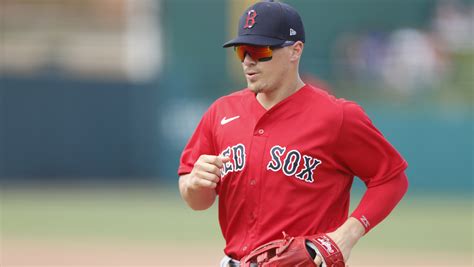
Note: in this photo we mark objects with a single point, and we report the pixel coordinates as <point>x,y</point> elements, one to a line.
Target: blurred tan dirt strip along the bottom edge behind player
<point>56,253</point>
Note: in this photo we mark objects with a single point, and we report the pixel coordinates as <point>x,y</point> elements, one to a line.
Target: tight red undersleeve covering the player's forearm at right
<point>379,201</point>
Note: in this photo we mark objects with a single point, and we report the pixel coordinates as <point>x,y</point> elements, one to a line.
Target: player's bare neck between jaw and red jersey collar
<point>270,98</point>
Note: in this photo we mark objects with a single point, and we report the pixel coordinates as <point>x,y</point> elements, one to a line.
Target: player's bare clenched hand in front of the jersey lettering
<point>206,172</point>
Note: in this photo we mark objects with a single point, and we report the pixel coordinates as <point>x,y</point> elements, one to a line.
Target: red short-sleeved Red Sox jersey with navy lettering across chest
<point>291,167</point>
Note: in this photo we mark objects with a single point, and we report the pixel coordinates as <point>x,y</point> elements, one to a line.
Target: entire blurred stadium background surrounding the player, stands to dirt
<point>97,99</point>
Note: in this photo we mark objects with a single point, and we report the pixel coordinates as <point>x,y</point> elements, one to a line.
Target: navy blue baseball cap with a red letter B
<point>269,23</point>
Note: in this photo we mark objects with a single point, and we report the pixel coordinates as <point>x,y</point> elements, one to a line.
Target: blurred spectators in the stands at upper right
<point>409,60</point>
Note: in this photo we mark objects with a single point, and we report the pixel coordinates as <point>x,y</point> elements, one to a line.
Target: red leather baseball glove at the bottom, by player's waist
<point>295,251</point>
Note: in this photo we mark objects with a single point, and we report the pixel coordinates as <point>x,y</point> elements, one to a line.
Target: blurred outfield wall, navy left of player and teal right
<point>62,130</point>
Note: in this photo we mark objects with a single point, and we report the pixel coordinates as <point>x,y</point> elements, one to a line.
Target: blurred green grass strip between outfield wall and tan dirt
<point>433,223</point>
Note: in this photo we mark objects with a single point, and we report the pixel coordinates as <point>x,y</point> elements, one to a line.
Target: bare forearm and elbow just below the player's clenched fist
<point>196,198</point>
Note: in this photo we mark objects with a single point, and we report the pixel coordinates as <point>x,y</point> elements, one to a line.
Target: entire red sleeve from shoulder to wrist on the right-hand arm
<point>364,152</point>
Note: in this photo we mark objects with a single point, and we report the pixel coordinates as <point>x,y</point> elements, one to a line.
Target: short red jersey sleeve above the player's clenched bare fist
<point>201,142</point>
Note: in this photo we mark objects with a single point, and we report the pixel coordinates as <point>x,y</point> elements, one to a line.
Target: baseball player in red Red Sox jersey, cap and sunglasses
<point>281,156</point>
